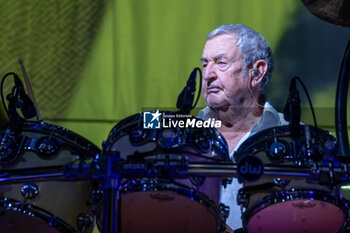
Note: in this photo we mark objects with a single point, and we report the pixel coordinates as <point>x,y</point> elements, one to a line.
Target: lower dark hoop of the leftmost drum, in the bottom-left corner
<point>36,212</point>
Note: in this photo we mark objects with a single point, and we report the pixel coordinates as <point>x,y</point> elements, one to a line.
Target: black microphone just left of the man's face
<point>186,97</point>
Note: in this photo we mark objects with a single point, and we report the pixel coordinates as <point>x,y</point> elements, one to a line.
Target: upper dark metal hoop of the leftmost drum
<point>62,133</point>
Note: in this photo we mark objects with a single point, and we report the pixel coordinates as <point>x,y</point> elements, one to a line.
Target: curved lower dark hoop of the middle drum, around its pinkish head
<point>172,187</point>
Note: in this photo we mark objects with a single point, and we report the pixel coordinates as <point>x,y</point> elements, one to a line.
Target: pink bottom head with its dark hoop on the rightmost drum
<point>298,213</point>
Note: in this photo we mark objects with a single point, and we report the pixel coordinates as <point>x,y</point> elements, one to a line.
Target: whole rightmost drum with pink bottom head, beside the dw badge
<point>289,205</point>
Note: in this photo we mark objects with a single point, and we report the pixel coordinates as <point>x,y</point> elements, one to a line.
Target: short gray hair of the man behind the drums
<point>252,46</point>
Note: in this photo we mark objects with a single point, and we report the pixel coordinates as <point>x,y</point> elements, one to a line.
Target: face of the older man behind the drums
<point>225,82</point>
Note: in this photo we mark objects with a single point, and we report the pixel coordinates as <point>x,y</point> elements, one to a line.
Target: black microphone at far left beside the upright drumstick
<point>24,102</point>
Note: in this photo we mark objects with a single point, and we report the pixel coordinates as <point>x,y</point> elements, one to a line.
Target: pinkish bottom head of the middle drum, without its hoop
<point>166,212</point>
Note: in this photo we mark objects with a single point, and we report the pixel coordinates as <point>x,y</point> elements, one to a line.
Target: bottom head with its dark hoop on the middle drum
<point>151,206</point>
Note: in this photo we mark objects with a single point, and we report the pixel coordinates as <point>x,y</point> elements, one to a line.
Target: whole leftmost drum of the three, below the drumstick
<point>45,206</point>
